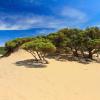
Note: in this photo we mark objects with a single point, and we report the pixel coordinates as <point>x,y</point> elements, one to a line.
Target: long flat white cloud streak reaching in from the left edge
<point>27,22</point>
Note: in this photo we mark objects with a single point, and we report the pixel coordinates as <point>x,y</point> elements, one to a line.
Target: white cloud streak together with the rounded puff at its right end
<point>68,17</point>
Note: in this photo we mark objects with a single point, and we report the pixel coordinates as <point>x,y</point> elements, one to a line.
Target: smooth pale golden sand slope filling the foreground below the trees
<point>57,81</point>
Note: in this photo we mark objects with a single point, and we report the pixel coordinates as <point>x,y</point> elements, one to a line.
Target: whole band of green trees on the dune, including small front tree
<point>77,42</point>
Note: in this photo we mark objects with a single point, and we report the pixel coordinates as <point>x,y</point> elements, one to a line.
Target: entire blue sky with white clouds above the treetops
<point>21,18</point>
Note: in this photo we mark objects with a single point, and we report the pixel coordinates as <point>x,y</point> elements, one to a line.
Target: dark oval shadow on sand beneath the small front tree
<point>30,63</point>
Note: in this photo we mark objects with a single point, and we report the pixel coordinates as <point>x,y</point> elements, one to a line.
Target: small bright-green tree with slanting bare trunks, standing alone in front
<point>39,47</point>
